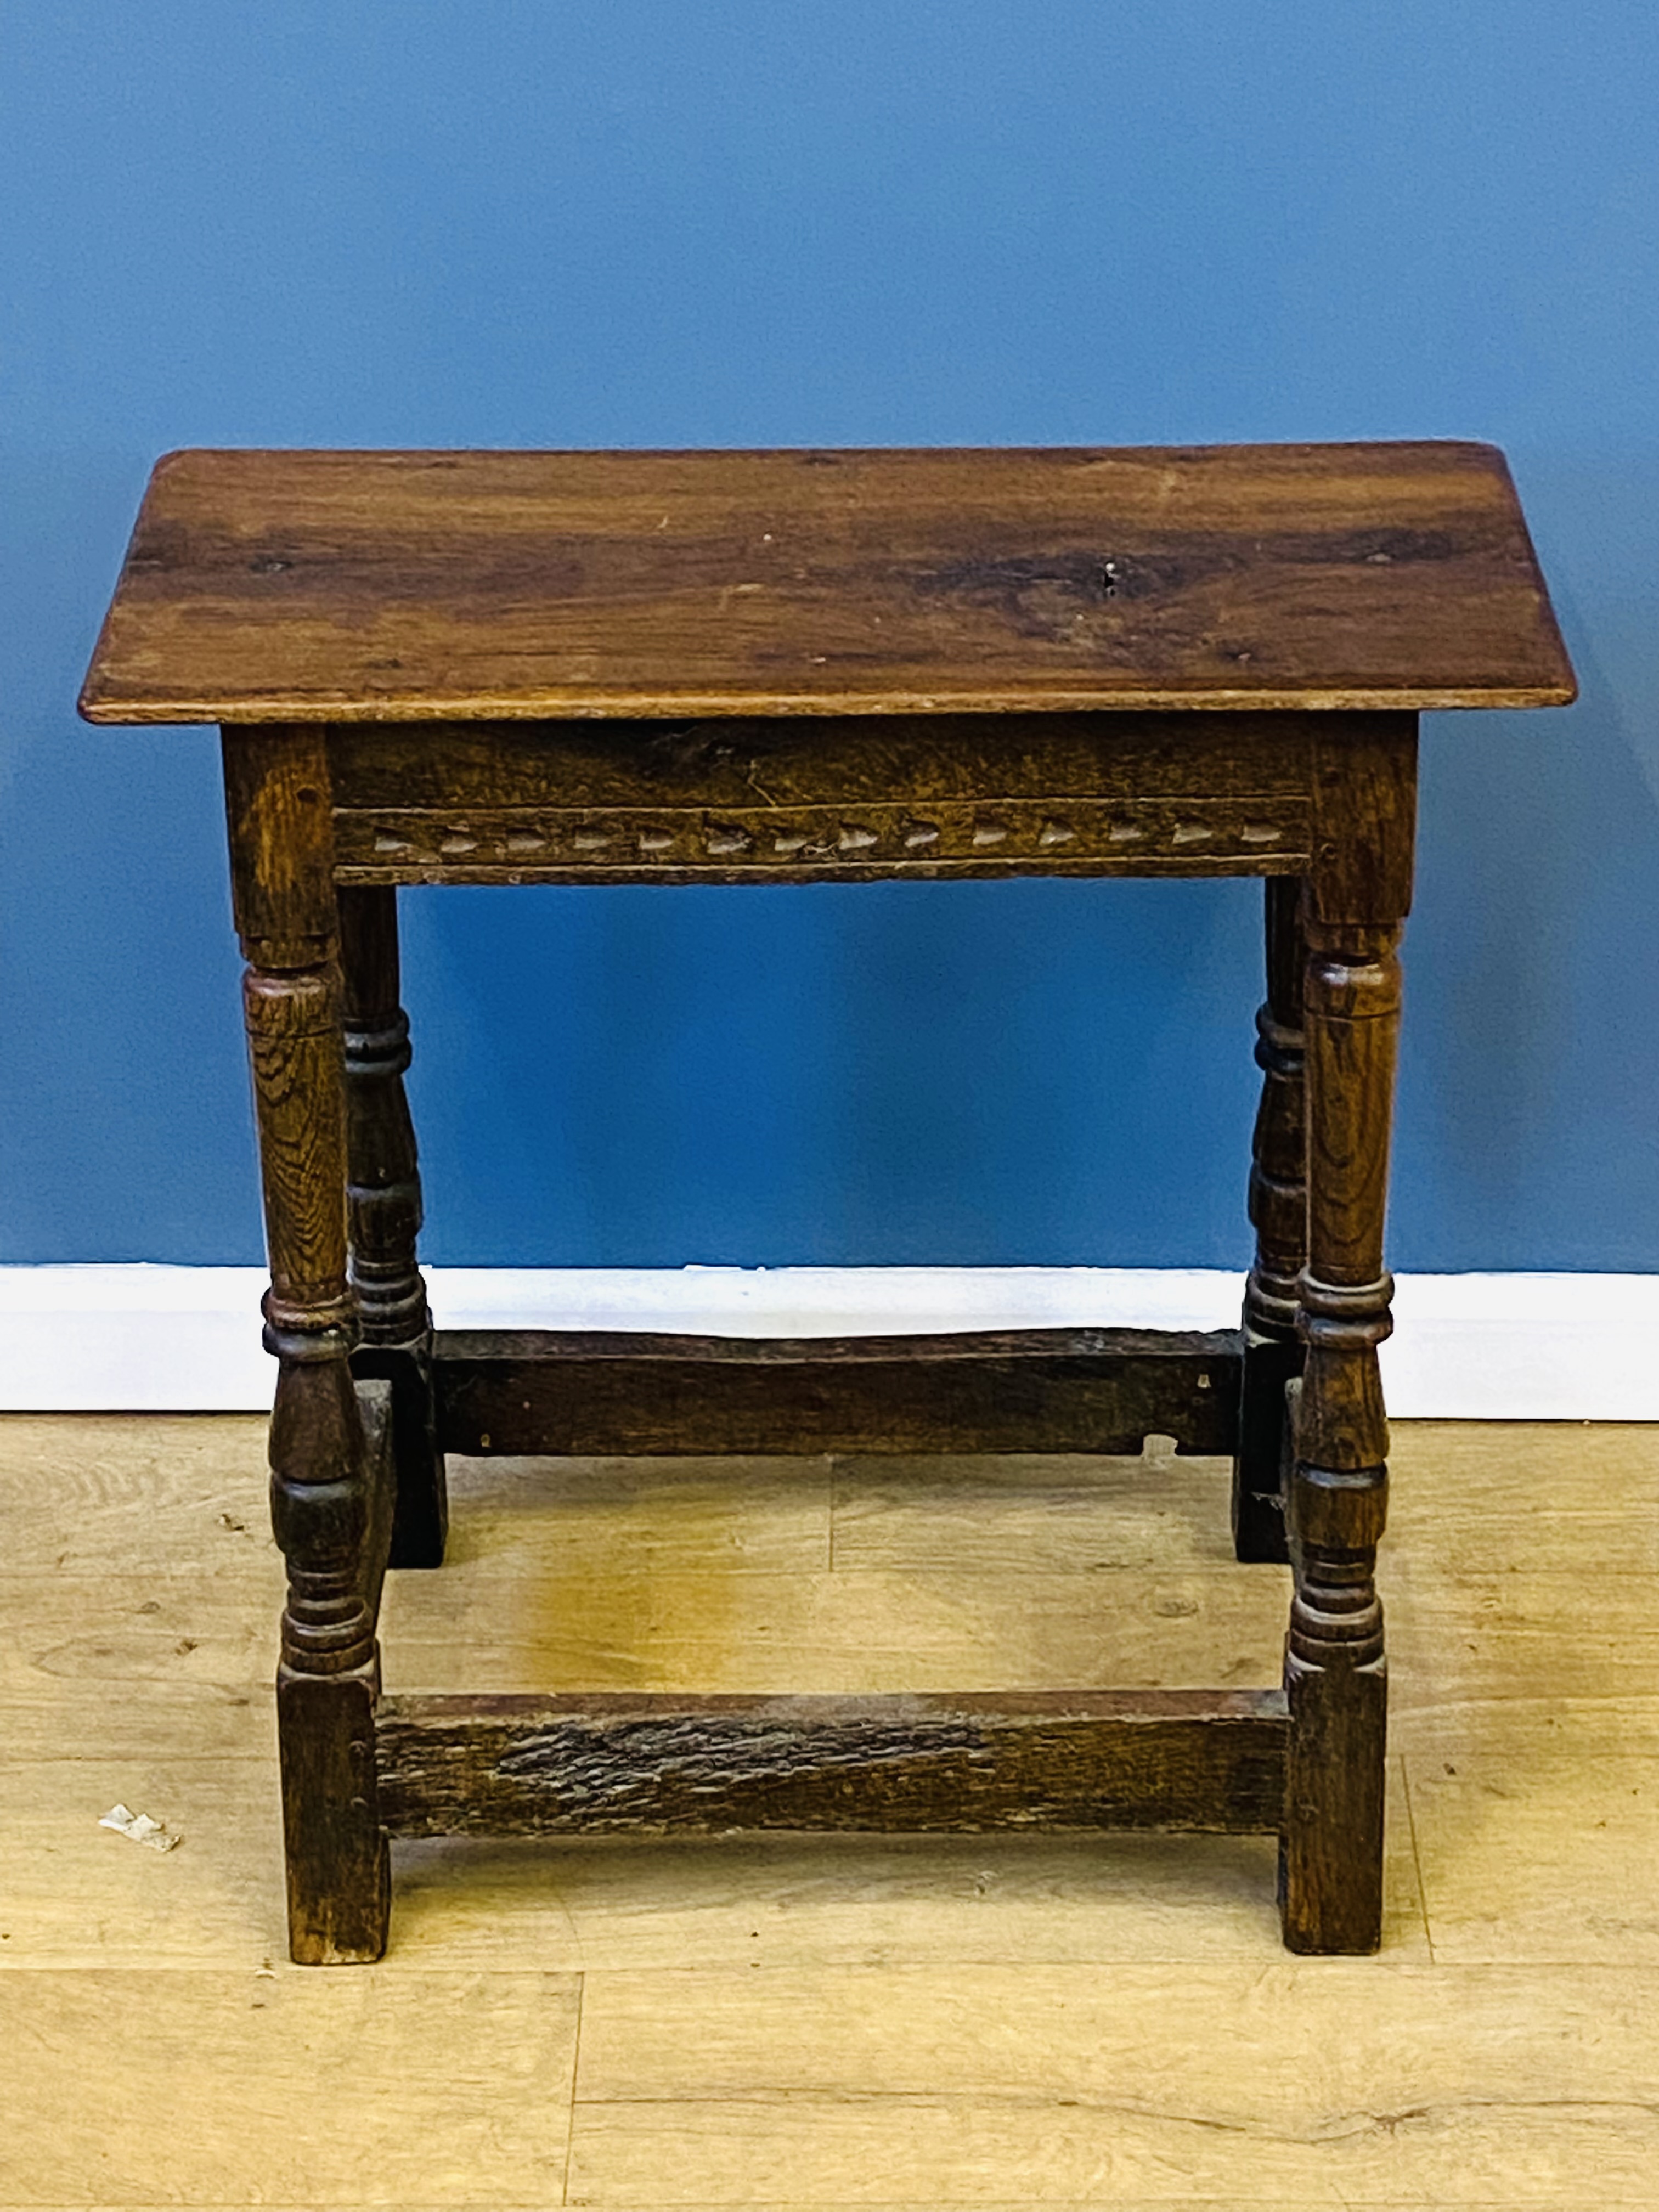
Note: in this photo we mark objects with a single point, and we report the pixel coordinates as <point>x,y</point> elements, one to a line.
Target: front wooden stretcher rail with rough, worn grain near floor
<point>625,1764</point>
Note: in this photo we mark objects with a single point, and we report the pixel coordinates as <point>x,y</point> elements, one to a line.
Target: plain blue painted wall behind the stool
<point>753,222</point>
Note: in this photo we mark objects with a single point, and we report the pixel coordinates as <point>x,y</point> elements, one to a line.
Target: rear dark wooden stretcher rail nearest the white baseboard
<point>1021,1390</point>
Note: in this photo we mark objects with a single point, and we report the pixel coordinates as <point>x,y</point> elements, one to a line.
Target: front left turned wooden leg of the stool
<point>326,1507</point>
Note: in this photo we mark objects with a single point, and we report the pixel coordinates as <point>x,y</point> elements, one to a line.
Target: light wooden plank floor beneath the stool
<point>846,2021</point>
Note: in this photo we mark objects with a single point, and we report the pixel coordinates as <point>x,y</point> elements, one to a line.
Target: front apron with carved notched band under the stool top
<point>833,802</point>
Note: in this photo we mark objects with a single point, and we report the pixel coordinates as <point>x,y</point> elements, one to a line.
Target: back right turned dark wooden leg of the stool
<point>1273,1355</point>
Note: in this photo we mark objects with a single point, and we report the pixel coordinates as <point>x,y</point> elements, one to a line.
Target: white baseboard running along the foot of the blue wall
<point>1465,1346</point>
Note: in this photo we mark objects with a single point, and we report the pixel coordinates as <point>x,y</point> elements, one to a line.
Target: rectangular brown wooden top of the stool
<point>483,585</point>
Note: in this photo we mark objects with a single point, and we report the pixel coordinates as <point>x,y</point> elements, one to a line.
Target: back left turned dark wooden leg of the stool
<point>384,1220</point>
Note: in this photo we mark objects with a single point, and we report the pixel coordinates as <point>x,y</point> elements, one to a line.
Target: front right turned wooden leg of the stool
<point>1337,1503</point>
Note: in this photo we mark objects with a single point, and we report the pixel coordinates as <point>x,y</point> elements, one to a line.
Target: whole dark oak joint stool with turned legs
<point>822,667</point>
